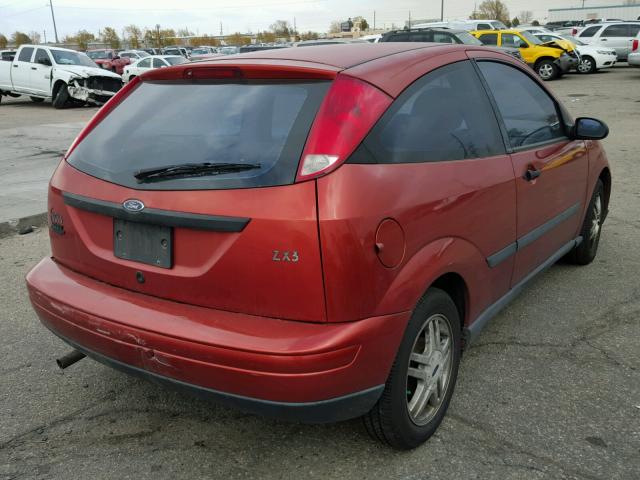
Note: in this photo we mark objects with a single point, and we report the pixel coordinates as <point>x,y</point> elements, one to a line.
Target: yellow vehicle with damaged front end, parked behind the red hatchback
<point>550,60</point>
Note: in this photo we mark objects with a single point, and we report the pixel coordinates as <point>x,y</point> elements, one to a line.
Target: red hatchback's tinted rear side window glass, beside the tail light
<point>445,115</point>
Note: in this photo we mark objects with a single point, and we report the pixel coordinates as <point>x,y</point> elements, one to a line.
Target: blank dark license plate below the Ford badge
<point>142,242</point>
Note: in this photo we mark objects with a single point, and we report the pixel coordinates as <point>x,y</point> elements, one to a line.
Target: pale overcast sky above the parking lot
<point>205,16</point>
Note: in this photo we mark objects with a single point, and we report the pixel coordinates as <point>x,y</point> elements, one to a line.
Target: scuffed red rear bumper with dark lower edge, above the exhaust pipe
<point>293,370</point>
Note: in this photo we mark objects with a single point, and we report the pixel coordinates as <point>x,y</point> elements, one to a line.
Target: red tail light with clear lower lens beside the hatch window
<point>346,115</point>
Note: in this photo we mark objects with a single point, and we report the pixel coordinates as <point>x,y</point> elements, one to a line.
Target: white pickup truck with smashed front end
<point>65,76</point>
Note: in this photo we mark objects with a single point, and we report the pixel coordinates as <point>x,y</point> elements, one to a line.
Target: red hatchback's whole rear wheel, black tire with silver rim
<point>423,376</point>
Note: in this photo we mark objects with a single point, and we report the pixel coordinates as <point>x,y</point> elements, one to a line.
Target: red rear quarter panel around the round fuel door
<point>453,215</point>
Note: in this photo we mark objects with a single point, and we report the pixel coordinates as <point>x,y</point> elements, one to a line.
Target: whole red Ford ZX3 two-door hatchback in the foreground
<point>316,233</point>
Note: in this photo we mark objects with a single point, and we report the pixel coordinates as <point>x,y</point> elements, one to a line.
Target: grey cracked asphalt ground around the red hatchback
<point>550,390</point>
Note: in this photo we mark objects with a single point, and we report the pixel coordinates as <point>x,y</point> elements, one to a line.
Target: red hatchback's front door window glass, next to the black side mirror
<point>529,113</point>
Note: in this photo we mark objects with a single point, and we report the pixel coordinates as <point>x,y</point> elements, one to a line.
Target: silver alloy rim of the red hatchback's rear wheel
<point>429,371</point>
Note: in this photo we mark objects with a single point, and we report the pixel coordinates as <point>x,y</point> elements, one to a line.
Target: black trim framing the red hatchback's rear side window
<point>357,159</point>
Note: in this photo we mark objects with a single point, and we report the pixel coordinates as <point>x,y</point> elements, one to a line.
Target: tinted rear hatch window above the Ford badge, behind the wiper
<point>261,124</point>
